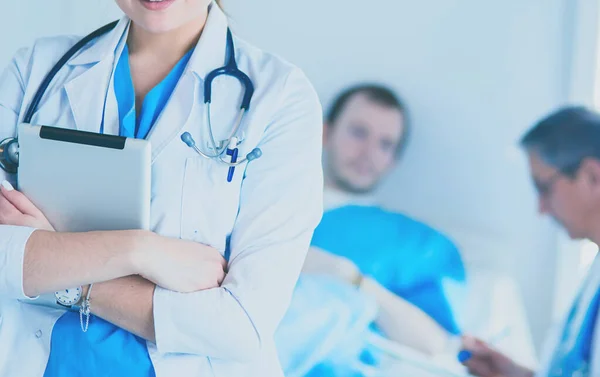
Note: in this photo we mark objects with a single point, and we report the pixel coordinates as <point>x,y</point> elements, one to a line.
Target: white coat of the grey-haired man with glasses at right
<point>588,290</point>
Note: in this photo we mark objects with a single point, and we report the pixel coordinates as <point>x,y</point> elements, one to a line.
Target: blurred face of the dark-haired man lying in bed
<point>361,146</point>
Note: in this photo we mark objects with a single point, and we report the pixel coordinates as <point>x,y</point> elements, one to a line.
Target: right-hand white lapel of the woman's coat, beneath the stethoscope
<point>188,95</point>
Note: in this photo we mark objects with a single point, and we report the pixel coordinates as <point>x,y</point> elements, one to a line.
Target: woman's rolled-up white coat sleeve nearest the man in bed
<point>281,204</point>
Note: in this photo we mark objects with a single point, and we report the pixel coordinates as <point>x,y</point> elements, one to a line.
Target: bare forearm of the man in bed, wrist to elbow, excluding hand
<point>405,323</point>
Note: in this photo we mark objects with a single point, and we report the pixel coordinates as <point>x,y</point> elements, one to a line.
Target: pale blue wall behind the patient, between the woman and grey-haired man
<point>476,74</point>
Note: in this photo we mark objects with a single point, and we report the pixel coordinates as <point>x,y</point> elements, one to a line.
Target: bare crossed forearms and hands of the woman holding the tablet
<point>125,266</point>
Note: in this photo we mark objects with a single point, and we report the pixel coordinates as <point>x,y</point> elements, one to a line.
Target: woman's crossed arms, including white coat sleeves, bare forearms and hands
<point>185,277</point>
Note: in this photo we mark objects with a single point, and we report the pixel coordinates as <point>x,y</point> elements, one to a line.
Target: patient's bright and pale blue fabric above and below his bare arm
<point>324,329</point>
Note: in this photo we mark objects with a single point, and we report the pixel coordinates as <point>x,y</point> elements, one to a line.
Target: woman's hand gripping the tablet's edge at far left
<point>16,209</point>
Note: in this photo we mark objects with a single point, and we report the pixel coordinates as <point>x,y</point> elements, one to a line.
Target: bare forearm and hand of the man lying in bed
<point>400,320</point>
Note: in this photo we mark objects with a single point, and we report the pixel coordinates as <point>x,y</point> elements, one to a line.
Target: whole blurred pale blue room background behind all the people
<point>475,75</point>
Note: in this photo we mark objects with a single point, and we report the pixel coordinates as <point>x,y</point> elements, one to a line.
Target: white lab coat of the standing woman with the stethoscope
<point>270,209</point>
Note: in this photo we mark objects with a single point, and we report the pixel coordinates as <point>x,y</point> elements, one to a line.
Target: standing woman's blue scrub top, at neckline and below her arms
<point>105,349</point>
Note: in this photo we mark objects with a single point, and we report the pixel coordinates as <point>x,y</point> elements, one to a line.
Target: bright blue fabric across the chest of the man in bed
<point>407,257</point>
